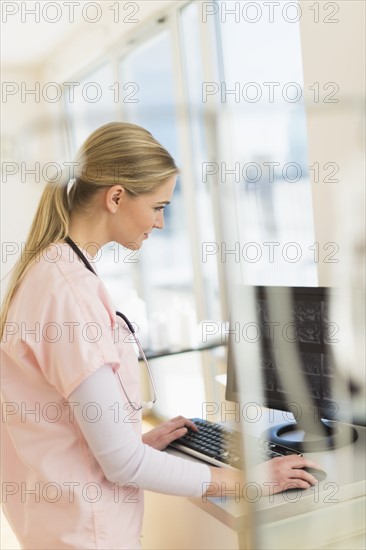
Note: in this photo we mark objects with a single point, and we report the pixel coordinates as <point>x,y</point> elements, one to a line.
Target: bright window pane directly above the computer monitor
<point>263,149</point>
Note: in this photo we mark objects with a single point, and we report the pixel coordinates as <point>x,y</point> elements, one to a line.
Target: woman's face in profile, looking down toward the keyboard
<point>136,216</point>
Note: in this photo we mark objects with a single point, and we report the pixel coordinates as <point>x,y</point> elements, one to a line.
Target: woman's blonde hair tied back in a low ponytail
<point>116,153</point>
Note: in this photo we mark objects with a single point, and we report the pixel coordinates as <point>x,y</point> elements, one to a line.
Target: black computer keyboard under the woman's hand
<point>221,446</point>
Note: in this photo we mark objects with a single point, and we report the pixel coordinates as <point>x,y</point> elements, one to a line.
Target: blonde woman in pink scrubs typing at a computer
<point>74,462</point>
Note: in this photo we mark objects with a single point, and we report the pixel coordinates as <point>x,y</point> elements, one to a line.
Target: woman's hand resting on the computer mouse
<point>281,473</point>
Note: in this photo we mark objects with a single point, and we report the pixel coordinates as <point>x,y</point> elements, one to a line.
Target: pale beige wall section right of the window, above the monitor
<point>335,53</point>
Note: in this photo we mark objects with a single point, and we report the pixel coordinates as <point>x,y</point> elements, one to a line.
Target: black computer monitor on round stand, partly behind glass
<point>295,341</point>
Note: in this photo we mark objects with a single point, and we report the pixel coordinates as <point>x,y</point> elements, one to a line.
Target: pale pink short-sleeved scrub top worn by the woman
<point>62,327</point>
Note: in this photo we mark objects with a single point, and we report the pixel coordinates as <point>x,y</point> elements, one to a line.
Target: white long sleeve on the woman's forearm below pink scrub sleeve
<point>120,451</point>
